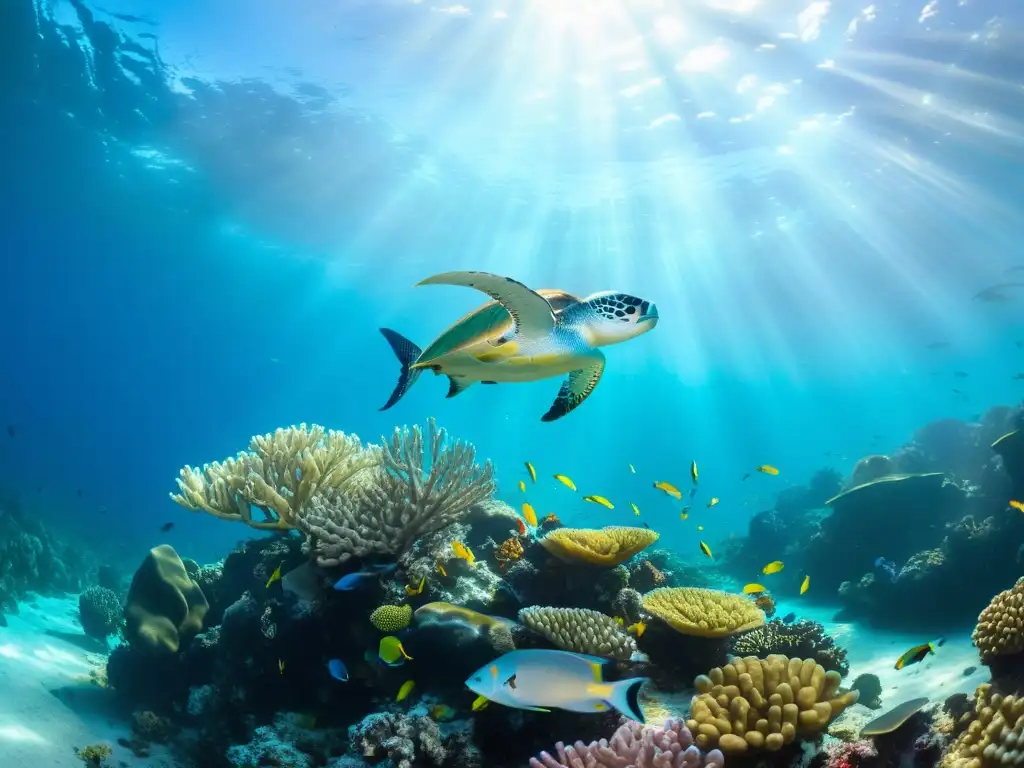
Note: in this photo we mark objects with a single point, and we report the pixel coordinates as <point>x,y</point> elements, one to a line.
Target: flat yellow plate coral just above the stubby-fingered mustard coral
<point>702,613</point>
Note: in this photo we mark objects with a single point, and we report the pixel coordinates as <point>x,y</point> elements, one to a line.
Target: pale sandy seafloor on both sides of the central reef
<point>50,703</point>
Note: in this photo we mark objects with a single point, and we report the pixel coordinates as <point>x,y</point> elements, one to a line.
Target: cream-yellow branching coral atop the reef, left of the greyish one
<point>279,475</point>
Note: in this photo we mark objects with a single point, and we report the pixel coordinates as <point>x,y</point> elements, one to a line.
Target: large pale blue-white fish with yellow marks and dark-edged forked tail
<point>557,679</point>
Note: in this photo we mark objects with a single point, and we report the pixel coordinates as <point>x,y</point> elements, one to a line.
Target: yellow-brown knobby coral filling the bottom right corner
<point>995,736</point>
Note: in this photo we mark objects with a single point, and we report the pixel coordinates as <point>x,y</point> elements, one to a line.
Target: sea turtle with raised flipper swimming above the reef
<point>524,335</point>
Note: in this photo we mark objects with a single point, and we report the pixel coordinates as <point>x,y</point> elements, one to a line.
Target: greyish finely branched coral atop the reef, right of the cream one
<point>415,492</point>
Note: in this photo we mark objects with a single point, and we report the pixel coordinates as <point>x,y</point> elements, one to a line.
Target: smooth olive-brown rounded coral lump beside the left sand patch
<point>164,608</point>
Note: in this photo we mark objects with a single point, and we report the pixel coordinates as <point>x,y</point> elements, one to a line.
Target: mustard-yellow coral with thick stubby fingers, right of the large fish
<point>764,704</point>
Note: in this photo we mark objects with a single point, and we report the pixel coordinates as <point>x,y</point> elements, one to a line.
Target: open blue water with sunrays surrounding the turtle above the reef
<point>207,209</point>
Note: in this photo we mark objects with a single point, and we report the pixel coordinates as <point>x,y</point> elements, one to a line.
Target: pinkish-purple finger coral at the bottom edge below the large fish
<point>635,746</point>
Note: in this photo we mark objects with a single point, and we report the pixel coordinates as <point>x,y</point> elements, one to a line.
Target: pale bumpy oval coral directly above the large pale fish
<point>581,630</point>
